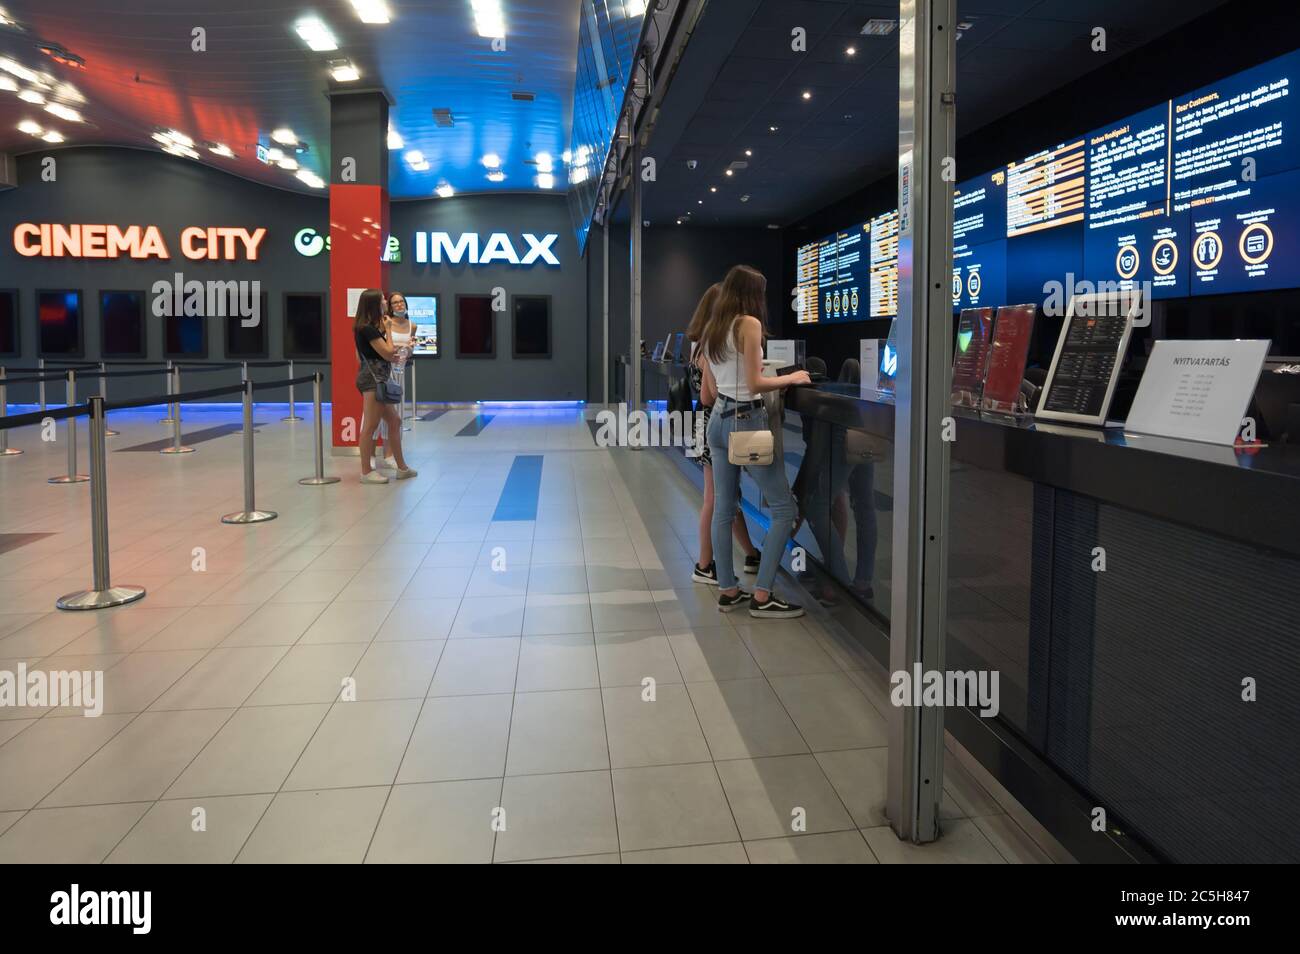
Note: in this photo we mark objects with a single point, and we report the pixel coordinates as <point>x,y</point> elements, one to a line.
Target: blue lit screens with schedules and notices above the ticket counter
<point>1195,196</point>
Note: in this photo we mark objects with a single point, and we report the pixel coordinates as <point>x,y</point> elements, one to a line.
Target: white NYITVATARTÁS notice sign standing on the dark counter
<point>1198,391</point>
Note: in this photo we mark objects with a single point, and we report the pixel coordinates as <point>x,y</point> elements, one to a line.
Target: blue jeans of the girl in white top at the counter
<point>777,491</point>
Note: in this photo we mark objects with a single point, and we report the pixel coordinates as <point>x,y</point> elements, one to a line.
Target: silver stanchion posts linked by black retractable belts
<point>103,593</point>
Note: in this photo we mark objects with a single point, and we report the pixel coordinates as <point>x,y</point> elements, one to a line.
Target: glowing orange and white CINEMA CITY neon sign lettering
<point>57,241</point>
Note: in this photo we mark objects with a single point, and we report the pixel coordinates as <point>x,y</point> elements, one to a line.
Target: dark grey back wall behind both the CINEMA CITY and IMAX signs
<point>132,187</point>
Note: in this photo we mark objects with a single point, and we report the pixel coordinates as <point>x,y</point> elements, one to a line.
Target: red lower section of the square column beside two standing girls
<point>358,228</point>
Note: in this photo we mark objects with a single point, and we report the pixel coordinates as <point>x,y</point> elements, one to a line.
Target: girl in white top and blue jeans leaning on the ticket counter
<point>731,358</point>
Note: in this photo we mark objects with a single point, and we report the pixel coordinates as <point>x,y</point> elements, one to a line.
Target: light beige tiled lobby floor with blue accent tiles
<point>387,674</point>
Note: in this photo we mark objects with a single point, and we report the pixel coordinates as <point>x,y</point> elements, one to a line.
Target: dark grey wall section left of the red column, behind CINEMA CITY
<point>137,188</point>
